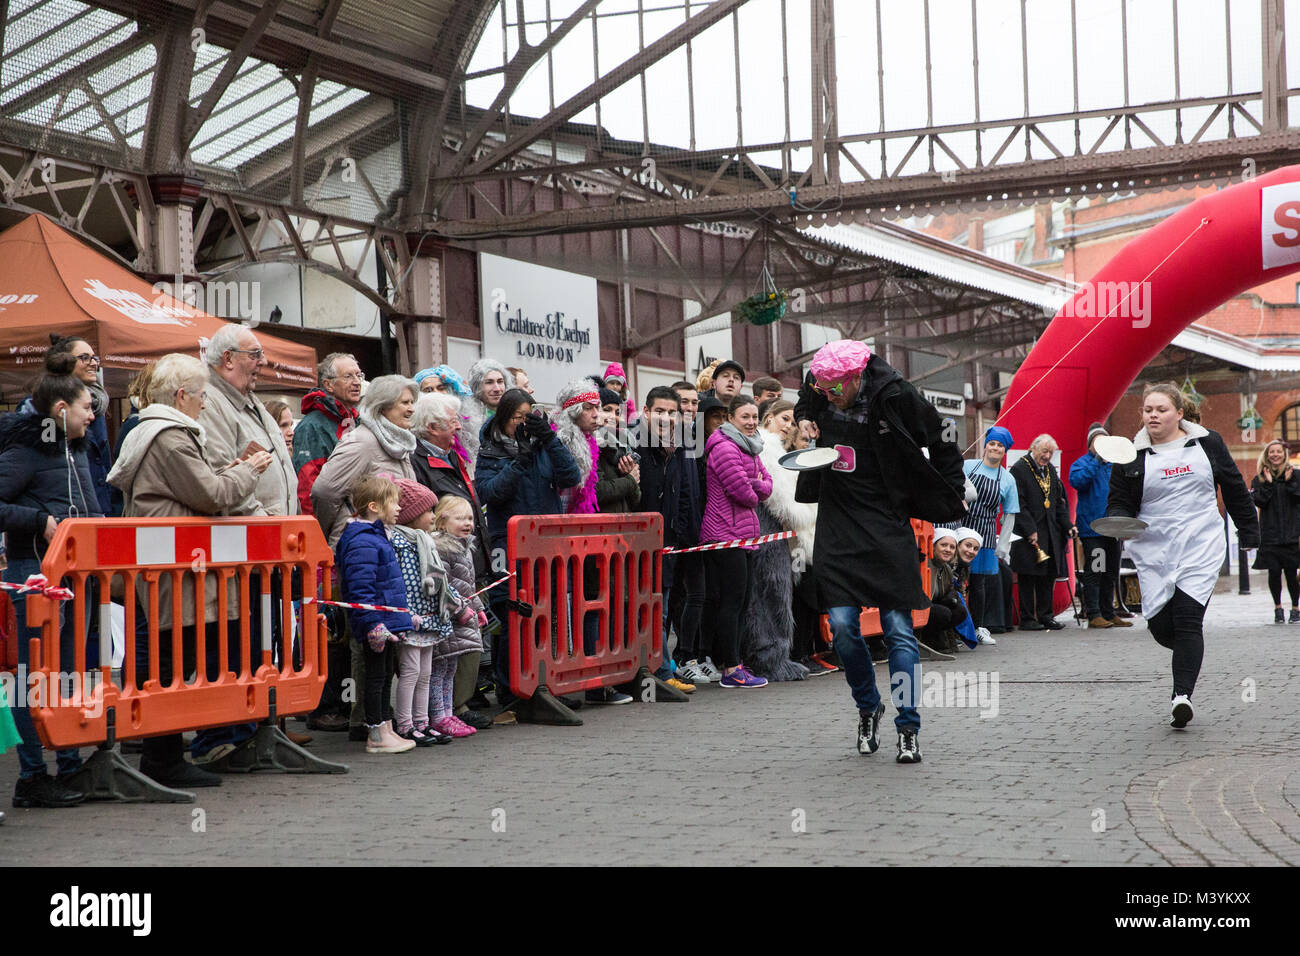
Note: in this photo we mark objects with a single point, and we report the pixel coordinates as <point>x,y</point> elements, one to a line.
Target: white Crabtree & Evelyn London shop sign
<point>541,321</point>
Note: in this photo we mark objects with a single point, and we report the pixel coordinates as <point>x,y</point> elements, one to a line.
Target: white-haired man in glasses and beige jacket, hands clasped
<point>235,419</point>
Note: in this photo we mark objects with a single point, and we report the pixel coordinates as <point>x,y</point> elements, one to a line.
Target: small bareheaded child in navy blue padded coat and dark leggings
<point>370,573</point>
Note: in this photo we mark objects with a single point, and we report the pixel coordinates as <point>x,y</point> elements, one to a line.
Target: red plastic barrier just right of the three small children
<point>548,555</point>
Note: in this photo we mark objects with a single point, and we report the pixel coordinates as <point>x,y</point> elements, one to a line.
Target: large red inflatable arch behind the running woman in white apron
<point>1159,284</point>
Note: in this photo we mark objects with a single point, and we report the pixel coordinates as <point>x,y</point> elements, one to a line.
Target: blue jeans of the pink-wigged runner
<point>904,663</point>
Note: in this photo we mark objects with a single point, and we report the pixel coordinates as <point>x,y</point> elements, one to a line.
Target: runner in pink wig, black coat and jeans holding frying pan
<point>865,550</point>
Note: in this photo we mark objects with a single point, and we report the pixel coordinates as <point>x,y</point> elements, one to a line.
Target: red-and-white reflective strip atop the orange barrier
<point>216,544</point>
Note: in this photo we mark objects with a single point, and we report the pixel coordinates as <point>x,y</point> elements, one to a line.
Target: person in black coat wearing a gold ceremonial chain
<point>1042,524</point>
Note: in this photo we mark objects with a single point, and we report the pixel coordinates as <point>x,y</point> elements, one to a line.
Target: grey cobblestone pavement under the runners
<point>1077,767</point>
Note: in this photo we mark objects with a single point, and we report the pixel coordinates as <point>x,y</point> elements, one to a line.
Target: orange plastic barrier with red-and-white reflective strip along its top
<point>73,715</point>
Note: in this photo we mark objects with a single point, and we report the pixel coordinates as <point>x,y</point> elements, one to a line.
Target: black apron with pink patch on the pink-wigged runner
<point>865,552</point>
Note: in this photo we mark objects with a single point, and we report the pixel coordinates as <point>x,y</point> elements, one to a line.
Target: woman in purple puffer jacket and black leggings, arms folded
<point>738,482</point>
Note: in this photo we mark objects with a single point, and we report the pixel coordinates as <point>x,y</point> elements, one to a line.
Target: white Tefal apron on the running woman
<point>1184,546</point>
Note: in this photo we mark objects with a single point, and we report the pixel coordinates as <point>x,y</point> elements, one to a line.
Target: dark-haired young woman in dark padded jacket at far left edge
<point>42,482</point>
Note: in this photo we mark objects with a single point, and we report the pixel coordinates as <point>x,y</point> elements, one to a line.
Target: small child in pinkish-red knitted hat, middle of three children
<point>428,599</point>
